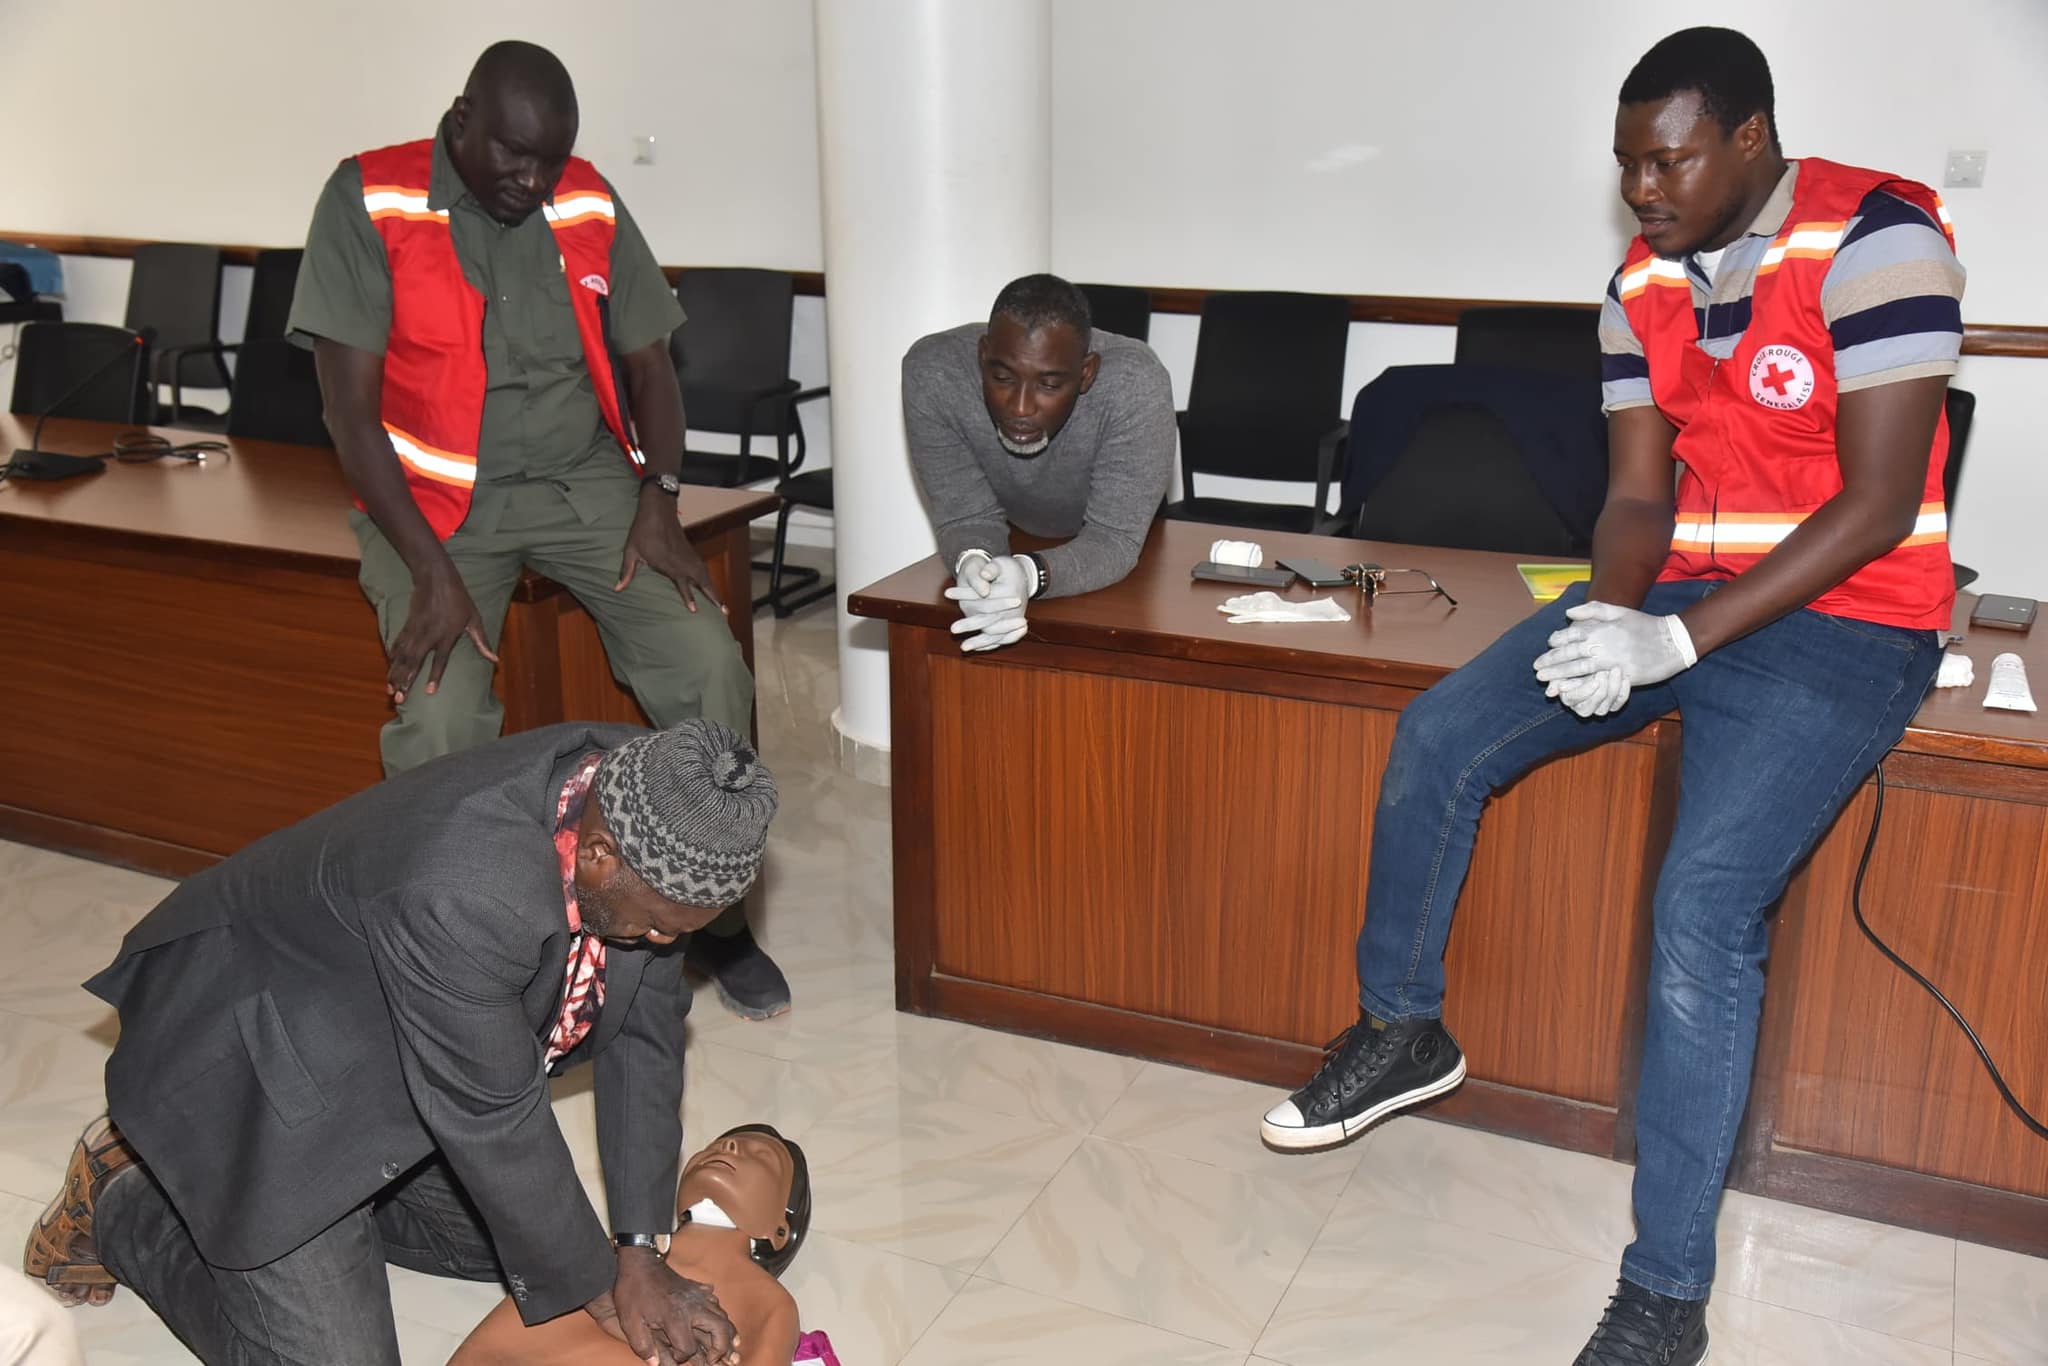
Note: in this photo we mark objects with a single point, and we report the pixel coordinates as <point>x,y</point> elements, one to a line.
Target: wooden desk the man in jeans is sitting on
<point>1146,830</point>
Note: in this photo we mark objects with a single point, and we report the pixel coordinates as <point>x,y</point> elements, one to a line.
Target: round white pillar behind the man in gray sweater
<point>935,144</point>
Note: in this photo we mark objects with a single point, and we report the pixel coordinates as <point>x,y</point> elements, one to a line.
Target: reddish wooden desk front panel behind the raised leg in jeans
<point>1187,843</point>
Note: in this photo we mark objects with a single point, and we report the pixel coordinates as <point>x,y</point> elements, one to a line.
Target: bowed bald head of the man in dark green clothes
<point>513,128</point>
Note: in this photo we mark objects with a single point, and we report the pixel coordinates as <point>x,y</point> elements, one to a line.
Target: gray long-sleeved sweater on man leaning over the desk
<point>1101,480</point>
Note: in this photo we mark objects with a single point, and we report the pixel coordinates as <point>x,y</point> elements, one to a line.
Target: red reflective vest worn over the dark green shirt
<point>435,376</point>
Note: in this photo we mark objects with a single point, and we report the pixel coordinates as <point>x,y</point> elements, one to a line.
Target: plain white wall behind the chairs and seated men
<point>1357,146</point>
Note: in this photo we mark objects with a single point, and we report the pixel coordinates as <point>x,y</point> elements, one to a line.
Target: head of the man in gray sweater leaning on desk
<point>1035,361</point>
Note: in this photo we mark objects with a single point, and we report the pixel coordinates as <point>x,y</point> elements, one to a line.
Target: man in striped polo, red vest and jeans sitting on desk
<point>1779,339</point>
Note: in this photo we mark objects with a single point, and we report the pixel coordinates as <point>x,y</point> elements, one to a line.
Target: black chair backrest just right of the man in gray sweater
<point>1271,353</point>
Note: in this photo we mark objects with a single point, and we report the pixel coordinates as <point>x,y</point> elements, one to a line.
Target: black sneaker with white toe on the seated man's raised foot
<point>1369,1072</point>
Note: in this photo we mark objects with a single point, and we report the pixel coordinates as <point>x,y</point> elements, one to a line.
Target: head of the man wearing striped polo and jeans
<point>1697,140</point>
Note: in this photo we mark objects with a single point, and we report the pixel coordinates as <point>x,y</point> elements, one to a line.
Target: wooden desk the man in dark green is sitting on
<point>189,663</point>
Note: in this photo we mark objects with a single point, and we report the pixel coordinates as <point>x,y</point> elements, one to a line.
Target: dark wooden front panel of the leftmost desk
<point>171,712</point>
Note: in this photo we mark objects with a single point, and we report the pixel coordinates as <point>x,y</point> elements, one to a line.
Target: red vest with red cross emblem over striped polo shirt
<point>1756,433</point>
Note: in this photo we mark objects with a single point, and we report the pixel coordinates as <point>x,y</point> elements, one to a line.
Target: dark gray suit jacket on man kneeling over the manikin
<point>374,986</point>
